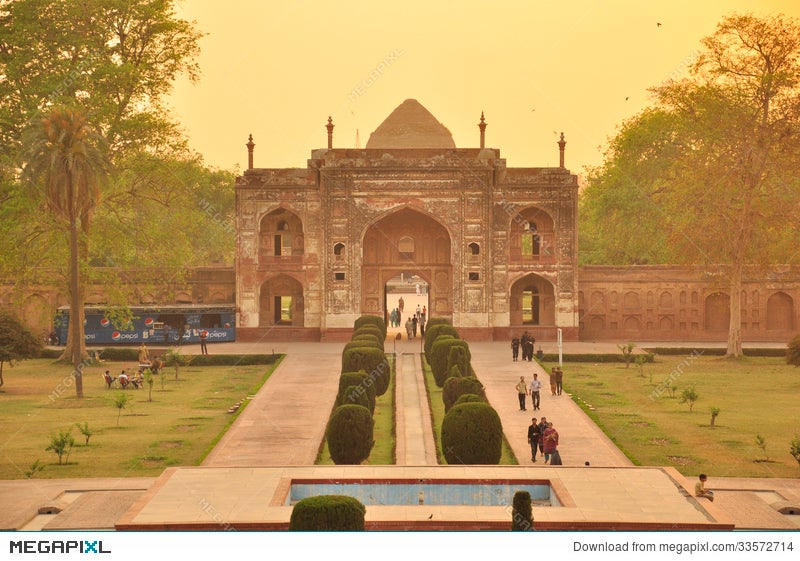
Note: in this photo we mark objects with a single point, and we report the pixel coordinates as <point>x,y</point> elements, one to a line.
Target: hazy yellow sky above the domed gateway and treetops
<point>278,69</point>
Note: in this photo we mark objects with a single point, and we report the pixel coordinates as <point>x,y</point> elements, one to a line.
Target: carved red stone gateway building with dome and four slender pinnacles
<point>496,246</point>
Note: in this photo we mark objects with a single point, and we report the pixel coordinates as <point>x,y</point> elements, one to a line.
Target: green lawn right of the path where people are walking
<point>754,396</point>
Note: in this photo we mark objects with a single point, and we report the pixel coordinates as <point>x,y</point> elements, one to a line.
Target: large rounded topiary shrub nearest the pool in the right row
<point>472,434</point>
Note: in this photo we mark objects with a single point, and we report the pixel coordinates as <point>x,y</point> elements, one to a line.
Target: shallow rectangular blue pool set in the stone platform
<point>453,494</point>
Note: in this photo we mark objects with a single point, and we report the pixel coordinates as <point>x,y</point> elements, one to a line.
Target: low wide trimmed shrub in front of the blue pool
<point>327,513</point>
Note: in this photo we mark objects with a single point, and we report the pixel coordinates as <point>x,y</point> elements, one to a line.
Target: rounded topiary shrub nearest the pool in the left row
<point>349,434</point>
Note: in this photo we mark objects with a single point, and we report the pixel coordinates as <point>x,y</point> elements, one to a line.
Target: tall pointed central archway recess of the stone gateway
<point>407,240</point>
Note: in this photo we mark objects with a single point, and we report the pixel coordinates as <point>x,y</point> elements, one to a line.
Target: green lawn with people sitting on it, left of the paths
<point>181,424</point>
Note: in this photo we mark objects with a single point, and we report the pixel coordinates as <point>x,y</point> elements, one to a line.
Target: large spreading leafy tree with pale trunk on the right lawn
<point>709,174</point>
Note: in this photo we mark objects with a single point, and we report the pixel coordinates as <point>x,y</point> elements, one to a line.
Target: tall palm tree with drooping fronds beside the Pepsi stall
<point>65,158</point>
